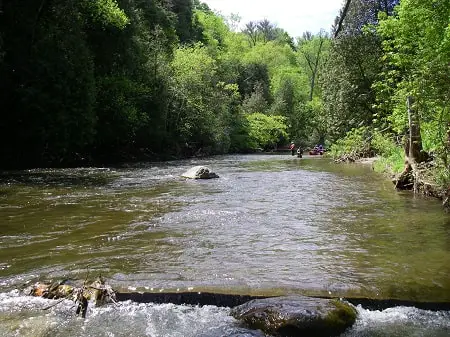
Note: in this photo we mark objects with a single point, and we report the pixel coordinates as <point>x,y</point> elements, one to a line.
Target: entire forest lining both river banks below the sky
<point>106,81</point>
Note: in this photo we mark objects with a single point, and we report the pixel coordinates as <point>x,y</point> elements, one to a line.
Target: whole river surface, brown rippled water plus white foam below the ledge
<point>270,225</point>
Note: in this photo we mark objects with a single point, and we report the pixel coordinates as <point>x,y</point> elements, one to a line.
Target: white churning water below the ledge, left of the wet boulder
<point>25,316</point>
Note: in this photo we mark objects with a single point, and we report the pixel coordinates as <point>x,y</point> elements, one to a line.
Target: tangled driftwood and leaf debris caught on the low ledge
<point>97,292</point>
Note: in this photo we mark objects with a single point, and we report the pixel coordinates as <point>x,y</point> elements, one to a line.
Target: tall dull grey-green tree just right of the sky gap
<point>353,67</point>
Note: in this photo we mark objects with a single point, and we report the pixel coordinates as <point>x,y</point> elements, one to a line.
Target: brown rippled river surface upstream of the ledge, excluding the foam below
<point>268,222</point>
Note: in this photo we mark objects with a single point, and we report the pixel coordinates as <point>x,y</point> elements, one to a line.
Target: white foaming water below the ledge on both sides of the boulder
<point>25,316</point>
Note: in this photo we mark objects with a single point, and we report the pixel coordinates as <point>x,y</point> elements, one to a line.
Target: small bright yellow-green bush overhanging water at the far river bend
<point>266,131</point>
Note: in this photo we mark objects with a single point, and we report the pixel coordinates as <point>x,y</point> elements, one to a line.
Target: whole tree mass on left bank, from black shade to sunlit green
<point>115,79</point>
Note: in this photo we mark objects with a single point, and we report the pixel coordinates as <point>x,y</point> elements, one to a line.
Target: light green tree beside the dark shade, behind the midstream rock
<point>199,113</point>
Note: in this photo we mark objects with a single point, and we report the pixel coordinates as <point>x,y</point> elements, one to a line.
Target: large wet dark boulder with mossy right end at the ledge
<point>297,316</point>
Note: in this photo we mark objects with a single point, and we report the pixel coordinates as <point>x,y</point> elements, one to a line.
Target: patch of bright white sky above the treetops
<point>294,16</point>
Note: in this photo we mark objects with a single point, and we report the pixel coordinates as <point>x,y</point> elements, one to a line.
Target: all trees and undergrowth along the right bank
<point>385,53</point>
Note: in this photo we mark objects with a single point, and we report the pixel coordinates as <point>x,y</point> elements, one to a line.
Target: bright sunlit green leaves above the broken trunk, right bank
<point>416,52</point>
